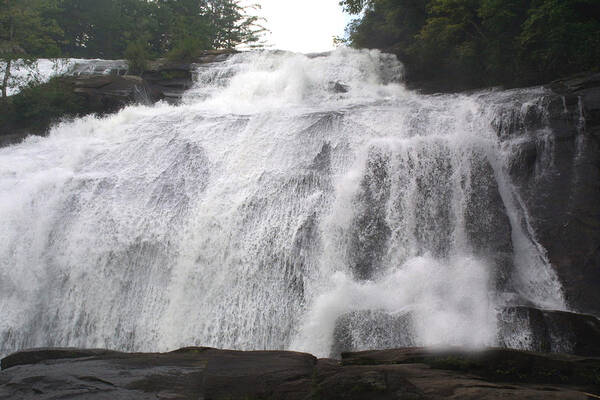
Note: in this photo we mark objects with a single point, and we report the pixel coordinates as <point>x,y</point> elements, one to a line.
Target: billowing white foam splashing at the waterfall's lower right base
<point>448,301</point>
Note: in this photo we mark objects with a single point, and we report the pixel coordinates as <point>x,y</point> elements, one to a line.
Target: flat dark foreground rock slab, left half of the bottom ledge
<point>189,373</point>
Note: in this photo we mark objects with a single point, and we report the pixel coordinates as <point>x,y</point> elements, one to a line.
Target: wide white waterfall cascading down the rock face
<point>286,191</point>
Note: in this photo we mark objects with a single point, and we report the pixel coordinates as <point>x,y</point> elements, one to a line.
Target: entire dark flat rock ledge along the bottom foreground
<point>204,373</point>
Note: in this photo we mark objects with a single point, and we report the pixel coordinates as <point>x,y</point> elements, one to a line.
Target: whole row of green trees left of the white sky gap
<point>114,29</point>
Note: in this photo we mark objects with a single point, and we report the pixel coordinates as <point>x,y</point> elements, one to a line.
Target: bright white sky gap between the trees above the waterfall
<point>303,26</point>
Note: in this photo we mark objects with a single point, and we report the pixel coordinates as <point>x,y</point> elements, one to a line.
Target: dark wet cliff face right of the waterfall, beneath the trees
<point>558,174</point>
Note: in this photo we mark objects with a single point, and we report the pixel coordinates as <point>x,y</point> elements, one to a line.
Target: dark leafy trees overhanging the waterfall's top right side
<point>469,43</point>
